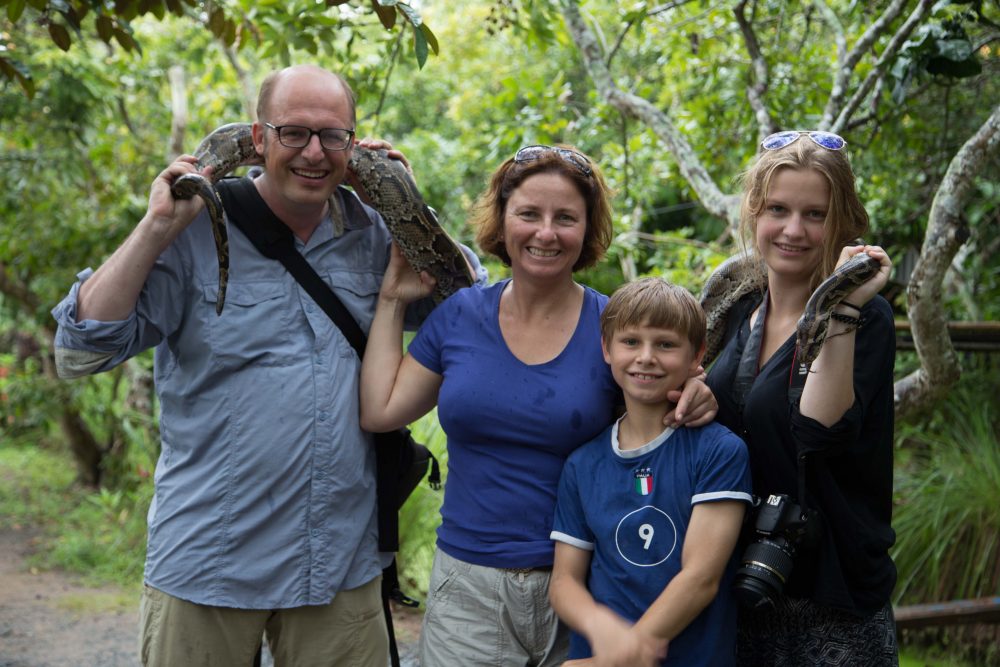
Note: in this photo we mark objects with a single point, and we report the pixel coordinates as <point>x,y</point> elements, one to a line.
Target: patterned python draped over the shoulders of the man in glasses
<point>386,183</point>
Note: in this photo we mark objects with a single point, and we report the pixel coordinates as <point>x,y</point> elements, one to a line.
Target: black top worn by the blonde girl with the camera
<point>848,469</point>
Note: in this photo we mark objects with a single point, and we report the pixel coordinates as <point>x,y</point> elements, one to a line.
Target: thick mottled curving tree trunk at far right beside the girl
<point>946,232</point>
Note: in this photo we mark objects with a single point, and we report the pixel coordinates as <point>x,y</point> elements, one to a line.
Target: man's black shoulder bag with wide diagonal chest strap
<point>400,461</point>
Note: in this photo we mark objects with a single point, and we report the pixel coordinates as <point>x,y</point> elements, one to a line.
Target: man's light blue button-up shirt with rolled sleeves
<point>265,484</point>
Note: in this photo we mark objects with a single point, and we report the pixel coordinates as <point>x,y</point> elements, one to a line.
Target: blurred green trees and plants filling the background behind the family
<point>86,110</point>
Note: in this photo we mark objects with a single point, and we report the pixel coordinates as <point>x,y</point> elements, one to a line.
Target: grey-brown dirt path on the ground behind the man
<point>50,619</point>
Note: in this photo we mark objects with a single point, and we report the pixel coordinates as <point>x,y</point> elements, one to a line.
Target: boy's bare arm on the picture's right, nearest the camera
<point>708,544</point>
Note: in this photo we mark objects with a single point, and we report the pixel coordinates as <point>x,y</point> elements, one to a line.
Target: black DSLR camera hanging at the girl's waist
<point>780,528</point>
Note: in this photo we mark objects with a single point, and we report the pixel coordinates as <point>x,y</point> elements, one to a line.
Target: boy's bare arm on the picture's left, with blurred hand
<point>613,640</point>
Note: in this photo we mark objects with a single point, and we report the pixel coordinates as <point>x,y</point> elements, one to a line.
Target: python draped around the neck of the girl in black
<point>743,274</point>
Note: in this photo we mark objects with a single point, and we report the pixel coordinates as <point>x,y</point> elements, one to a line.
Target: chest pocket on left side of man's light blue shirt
<point>253,325</point>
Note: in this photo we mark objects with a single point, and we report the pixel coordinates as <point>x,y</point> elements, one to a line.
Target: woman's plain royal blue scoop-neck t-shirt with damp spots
<point>510,425</point>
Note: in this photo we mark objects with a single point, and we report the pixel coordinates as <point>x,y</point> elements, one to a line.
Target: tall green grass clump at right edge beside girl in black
<point>947,510</point>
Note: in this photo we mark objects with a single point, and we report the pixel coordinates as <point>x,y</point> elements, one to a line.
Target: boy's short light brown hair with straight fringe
<point>657,303</point>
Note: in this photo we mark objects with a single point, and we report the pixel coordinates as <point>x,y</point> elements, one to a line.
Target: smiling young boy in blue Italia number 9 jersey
<point>646,517</point>
